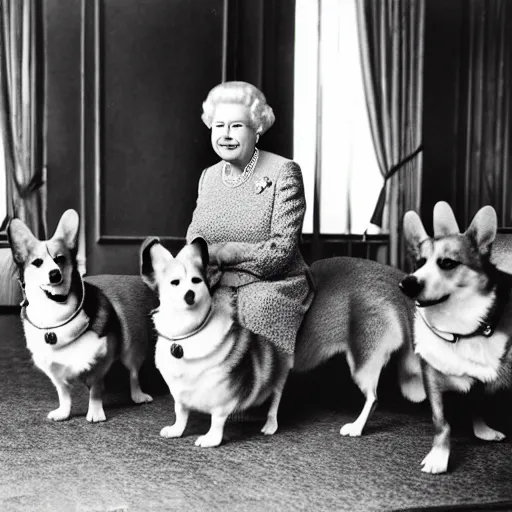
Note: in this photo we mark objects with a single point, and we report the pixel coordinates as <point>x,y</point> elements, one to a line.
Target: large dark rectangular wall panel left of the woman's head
<point>158,61</point>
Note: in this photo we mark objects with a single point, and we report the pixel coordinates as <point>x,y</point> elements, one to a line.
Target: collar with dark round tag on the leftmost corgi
<point>65,332</point>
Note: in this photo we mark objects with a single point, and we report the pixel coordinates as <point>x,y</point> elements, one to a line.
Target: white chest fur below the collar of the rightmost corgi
<point>478,357</point>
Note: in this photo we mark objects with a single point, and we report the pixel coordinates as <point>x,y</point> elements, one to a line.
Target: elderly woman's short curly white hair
<point>243,93</point>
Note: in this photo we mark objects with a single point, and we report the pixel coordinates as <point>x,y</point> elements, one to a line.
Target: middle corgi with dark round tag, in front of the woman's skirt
<point>221,367</point>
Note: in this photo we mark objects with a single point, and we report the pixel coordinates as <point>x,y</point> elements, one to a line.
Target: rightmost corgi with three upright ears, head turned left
<point>463,324</point>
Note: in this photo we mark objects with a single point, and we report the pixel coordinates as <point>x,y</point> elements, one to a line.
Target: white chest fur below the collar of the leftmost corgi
<point>70,360</point>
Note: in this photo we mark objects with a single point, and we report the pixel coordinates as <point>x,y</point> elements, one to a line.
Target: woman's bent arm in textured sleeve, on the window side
<point>271,257</point>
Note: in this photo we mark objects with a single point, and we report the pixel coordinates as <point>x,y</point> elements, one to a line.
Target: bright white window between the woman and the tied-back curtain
<point>350,175</point>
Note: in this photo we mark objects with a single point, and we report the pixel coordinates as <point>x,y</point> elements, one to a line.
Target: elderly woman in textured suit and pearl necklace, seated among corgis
<point>250,209</point>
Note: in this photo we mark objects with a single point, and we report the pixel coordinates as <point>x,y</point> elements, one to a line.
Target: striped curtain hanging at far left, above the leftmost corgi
<point>19,119</point>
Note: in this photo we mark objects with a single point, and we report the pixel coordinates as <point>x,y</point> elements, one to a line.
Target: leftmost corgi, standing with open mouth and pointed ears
<point>71,328</point>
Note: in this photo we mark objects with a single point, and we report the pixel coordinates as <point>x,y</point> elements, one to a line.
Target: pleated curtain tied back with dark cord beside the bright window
<point>391,44</point>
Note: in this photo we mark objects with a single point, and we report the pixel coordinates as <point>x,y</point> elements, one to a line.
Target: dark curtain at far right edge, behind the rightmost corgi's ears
<point>483,175</point>
